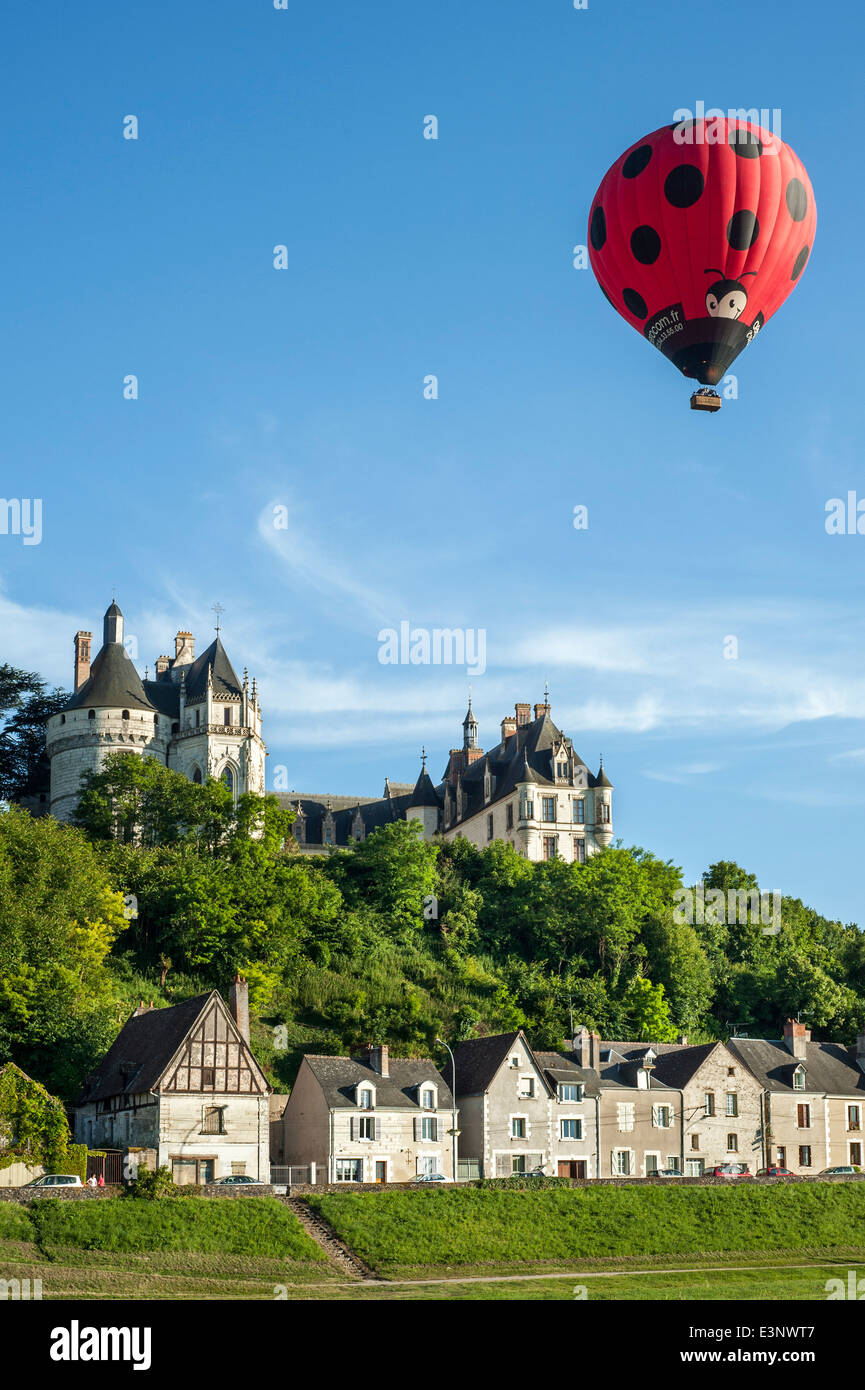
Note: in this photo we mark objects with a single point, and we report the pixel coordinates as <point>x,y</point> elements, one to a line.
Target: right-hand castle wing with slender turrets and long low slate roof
<point>532,790</point>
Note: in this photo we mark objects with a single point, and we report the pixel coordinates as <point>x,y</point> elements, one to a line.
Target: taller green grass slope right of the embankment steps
<point>460,1228</point>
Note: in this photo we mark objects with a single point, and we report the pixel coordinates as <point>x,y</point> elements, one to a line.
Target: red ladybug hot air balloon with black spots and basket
<point>697,236</point>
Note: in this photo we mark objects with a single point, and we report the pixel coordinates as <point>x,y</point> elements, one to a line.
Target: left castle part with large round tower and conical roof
<point>197,717</point>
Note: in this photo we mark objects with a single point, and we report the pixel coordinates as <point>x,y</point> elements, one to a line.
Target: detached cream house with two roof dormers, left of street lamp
<point>369,1120</point>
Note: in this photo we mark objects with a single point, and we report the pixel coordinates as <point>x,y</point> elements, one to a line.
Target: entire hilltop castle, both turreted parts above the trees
<point>532,790</point>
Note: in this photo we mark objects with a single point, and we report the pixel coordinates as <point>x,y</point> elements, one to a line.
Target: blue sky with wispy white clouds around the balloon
<point>304,390</point>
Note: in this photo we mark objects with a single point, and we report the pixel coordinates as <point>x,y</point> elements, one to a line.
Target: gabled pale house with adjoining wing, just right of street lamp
<point>521,1110</point>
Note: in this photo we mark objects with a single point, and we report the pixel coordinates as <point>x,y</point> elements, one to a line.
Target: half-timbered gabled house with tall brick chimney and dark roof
<point>180,1088</point>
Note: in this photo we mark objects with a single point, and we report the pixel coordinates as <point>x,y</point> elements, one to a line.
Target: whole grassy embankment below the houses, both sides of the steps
<point>631,1245</point>
